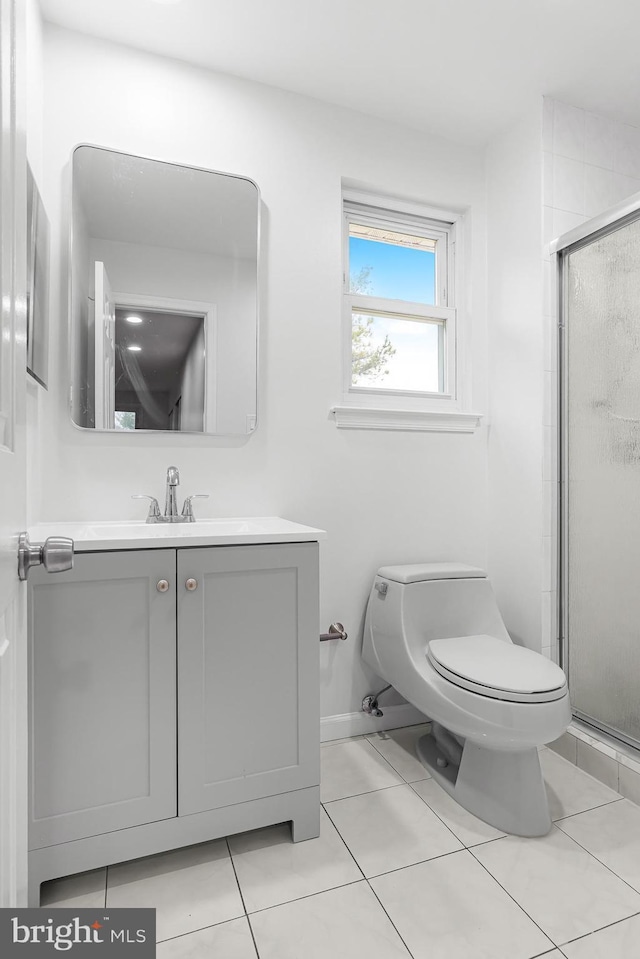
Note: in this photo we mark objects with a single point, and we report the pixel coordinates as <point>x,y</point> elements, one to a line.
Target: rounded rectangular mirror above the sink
<point>164,265</point>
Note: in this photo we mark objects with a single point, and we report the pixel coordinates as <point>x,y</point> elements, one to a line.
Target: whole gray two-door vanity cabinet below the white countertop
<point>174,699</point>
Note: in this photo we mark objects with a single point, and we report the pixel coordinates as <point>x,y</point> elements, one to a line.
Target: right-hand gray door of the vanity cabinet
<point>248,683</point>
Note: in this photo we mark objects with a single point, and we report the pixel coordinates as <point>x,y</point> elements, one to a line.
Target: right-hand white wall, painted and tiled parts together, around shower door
<point>548,173</point>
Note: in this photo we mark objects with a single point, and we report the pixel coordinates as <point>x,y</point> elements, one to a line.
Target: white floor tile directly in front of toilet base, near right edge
<point>566,891</point>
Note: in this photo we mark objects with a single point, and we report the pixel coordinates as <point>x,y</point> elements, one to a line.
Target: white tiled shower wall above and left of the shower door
<point>590,162</point>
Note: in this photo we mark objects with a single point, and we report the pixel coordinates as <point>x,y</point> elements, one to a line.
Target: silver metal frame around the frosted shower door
<point>613,219</point>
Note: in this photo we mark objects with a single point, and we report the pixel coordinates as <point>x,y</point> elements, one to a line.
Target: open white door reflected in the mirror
<point>105,351</point>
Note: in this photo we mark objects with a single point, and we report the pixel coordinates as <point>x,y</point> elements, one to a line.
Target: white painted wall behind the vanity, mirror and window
<point>383,497</point>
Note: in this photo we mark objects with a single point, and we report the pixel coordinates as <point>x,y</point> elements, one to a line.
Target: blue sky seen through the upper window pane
<point>397,272</point>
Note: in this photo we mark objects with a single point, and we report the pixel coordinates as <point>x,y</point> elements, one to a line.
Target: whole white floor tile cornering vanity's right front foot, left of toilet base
<point>389,829</point>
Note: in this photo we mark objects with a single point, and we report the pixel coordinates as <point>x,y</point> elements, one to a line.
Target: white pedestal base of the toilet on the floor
<point>504,789</point>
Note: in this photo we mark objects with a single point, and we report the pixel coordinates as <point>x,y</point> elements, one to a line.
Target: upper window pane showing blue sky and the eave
<point>389,264</point>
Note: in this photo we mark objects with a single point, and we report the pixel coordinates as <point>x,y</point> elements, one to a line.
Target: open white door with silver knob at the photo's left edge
<point>13,659</point>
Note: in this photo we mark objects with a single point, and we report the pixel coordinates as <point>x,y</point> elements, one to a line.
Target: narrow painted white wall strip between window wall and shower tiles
<point>516,342</point>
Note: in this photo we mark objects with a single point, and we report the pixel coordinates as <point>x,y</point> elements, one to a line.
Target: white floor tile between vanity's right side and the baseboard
<point>351,768</point>
